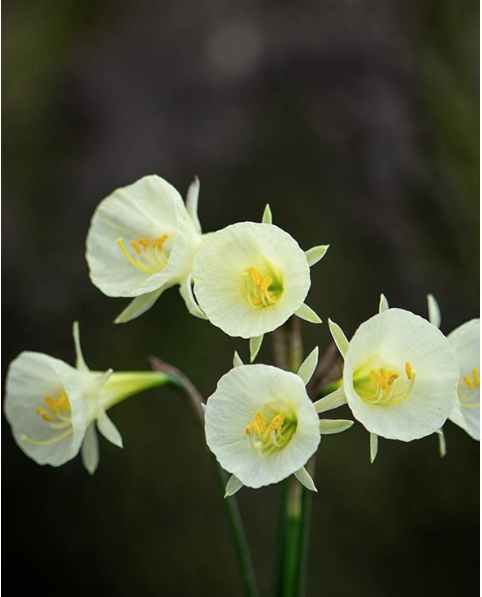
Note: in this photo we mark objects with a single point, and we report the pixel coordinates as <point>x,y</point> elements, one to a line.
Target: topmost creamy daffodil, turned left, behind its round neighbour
<point>142,240</point>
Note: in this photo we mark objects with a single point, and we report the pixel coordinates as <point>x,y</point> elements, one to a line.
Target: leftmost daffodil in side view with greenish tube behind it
<point>54,408</point>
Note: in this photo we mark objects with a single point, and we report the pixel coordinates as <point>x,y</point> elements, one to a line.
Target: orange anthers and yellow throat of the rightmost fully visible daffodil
<point>383,386</point>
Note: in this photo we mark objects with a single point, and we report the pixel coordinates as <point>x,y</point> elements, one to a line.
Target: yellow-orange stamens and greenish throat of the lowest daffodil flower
<point>266,438</point>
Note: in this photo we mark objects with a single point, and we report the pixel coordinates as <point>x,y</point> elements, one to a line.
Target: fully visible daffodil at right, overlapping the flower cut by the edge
<point>400,376</point>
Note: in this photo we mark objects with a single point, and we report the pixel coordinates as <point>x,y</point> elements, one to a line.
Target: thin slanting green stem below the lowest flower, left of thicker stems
<point>240,541</point>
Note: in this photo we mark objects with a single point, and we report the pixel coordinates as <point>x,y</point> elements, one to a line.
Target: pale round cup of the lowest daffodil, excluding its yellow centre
<point>242,393</point>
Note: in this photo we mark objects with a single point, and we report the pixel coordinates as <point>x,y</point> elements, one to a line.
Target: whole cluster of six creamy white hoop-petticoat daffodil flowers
<point>402,378</point>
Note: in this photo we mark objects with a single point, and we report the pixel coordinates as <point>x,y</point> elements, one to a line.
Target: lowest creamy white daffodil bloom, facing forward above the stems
<point>262,426</point>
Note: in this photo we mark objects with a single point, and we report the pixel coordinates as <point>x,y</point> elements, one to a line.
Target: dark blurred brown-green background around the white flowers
<point>357,120</point>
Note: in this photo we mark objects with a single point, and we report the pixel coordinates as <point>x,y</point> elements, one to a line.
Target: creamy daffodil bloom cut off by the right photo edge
<point>465,340</point>
